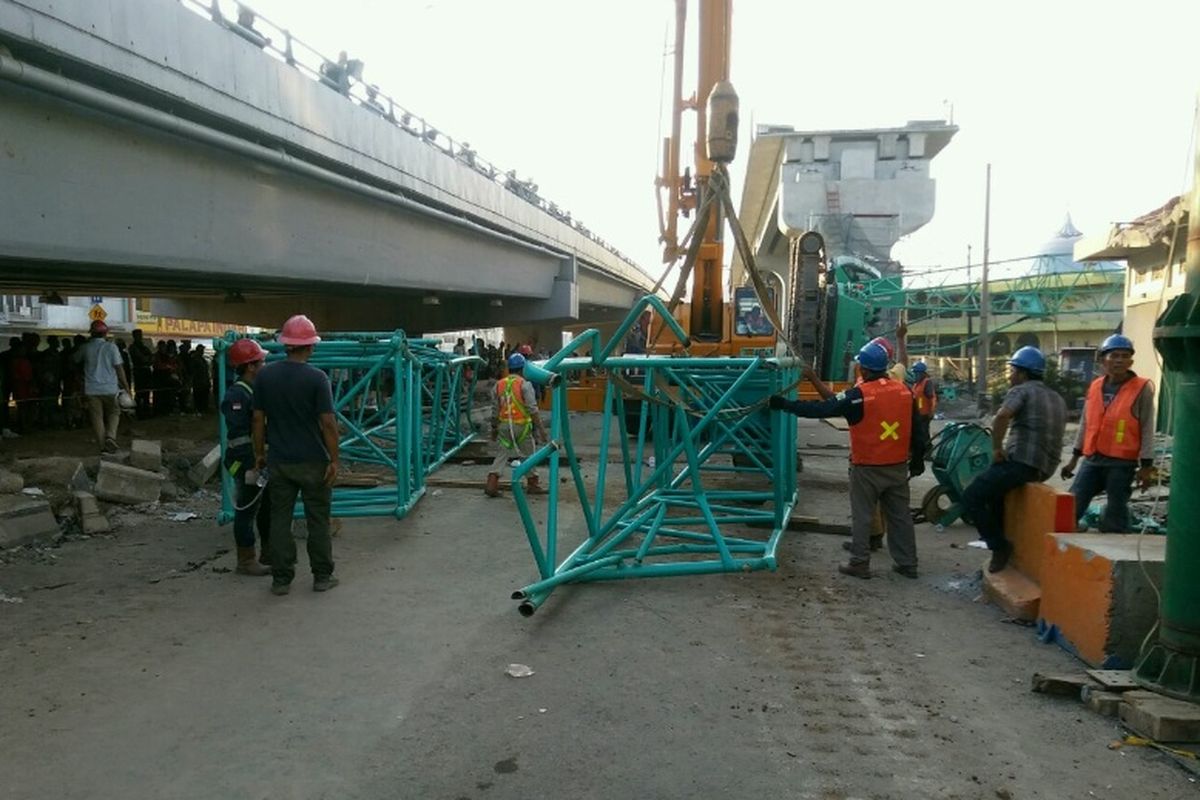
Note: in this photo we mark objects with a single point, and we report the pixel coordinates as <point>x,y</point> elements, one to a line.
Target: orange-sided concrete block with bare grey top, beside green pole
<point>1096,601</point>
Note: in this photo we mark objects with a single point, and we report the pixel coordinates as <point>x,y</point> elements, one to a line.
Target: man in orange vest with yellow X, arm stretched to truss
<point>884,455</point>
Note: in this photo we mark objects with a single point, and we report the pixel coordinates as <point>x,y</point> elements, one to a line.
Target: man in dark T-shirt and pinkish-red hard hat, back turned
<point>295,410</point>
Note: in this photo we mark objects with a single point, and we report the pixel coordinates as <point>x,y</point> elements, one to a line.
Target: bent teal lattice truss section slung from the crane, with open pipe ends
<point>707,477</point>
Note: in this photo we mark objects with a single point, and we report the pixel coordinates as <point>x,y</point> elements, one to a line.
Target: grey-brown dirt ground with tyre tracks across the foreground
<point>136,665</point>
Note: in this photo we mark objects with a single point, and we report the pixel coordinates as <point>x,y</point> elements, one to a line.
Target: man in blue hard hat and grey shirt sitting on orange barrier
<point>1034,417</point>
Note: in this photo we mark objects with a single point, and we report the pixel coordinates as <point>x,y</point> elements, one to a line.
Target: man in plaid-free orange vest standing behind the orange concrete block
<point>1115,440</point>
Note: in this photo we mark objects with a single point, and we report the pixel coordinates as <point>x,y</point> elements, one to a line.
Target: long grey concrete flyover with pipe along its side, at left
<point>149,152</point>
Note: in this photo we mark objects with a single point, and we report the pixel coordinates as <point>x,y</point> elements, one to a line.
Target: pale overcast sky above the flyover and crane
<point>1082,107</point>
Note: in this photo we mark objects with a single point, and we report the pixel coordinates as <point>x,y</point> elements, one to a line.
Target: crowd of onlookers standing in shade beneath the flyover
<point>43,384</point>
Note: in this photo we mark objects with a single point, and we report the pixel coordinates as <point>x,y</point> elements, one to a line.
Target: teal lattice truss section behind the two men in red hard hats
<point>403,407</point>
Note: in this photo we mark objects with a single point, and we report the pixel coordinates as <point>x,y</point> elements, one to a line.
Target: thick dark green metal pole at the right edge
<point>1173,665</point>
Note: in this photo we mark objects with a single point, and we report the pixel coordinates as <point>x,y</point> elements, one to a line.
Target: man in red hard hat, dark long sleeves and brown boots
<point>247,357</point>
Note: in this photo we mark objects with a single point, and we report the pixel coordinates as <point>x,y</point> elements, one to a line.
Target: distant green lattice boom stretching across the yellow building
<point>1081,292</point>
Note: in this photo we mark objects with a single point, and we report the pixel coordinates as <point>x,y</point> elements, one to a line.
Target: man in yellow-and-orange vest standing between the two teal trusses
<point>517,426</point>
